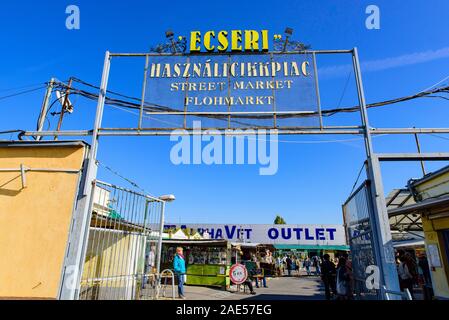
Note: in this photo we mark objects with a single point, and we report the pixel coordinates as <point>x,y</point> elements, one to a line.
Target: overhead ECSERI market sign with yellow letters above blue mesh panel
<point>230,80</point>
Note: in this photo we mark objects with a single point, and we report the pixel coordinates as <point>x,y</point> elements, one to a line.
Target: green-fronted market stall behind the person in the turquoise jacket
<point>208,261</point>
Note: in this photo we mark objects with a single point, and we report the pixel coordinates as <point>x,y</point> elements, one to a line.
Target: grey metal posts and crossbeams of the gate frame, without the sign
<point>381,229</point>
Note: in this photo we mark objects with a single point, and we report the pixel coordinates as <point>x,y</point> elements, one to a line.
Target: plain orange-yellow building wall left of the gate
<point>35,221</point>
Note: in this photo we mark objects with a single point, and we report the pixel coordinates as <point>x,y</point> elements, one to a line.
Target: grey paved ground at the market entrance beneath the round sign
<point>286,288</point>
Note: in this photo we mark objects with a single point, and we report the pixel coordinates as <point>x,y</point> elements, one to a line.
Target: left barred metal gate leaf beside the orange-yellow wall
<point>123,251</point>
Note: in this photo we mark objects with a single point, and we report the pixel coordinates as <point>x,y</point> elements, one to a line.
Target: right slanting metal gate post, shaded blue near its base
<point>382,240</point>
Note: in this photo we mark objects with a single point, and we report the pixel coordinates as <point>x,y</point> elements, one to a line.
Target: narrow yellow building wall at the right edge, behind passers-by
<point>439,275</point>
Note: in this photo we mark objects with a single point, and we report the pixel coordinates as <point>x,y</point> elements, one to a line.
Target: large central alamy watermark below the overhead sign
<point>234,147</point>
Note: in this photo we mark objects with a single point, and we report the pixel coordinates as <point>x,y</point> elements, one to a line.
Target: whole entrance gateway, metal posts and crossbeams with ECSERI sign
<point>285,93</point>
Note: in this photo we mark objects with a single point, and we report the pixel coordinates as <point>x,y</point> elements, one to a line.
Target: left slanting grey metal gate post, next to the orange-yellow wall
<point>79,235</point>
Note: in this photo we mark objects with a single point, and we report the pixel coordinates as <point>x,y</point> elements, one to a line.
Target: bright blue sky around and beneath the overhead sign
<point>408,54</point>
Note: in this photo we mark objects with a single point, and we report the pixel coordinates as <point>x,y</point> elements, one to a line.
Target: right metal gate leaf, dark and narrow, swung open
<point>357,211</point>
